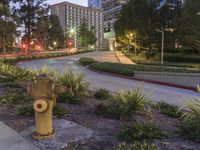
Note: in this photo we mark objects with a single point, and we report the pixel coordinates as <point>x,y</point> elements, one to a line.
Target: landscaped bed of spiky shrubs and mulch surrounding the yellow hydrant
<point>125,119</point>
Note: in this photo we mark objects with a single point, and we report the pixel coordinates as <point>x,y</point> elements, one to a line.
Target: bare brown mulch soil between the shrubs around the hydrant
<point>85,115</point>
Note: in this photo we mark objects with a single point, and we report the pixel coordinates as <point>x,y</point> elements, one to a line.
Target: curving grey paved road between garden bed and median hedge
<point>153,91</point>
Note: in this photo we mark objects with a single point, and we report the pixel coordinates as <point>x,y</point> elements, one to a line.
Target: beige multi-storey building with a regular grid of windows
<point>71,16</point>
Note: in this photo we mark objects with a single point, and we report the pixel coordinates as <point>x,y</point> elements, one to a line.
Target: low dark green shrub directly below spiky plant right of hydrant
<point>69,99</point>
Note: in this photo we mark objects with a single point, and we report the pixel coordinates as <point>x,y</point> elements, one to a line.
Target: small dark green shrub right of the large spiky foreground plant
<point>170,110</point>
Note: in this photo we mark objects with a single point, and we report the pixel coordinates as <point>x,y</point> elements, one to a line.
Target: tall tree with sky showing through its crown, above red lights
<point>29,11</point>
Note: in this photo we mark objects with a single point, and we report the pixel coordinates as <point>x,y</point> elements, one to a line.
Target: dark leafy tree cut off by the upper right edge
<point>187,24</point>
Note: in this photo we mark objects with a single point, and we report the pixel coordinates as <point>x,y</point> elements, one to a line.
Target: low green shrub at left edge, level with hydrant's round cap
<point>15,99</point>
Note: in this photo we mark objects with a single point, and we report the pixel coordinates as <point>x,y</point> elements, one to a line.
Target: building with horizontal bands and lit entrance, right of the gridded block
<point>112,9</point>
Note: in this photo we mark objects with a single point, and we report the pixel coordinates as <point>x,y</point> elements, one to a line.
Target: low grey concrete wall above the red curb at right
<point>182,79</point>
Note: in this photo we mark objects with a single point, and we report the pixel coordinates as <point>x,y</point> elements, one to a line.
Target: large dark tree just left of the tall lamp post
<point>138,16</point>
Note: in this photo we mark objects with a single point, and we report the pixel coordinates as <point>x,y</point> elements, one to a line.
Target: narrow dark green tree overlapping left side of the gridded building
<point>55,30</point>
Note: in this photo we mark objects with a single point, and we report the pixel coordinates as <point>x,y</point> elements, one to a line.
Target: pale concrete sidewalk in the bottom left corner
<point>11,140</point>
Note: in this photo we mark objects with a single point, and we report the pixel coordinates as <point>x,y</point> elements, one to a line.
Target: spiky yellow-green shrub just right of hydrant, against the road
<point>75,83</point>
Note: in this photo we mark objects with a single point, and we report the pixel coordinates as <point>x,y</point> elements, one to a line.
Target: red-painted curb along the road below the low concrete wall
<point>145,80</point>
